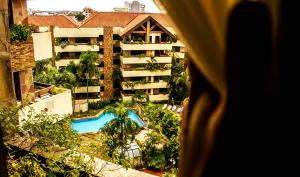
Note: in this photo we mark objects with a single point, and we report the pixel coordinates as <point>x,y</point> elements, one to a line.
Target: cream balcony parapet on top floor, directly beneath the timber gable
<point>146,46</point>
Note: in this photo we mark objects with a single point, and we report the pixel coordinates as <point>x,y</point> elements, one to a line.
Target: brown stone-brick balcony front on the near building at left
<point>22,55</point>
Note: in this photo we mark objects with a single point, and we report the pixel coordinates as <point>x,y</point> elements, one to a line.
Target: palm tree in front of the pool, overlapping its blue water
<point>122,127</point>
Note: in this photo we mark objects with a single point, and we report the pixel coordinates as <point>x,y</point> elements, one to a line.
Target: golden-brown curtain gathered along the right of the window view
<point>201,25</point>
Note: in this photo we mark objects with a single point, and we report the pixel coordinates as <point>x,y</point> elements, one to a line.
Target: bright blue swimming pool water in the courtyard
<point>94,124</point>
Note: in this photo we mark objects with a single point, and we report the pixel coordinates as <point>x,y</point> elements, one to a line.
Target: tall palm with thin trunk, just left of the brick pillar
<point>88,68</point>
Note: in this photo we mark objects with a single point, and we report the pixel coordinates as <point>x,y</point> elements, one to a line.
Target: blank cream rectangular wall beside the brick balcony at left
<point>42,44</point>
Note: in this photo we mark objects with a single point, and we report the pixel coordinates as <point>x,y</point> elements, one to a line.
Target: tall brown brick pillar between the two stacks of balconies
<point>108,62</point>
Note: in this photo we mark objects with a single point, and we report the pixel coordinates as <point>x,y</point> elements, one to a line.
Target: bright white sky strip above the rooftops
<point>78,5</point>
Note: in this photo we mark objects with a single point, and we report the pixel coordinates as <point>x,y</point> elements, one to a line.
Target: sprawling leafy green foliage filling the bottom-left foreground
<point>50,136</point>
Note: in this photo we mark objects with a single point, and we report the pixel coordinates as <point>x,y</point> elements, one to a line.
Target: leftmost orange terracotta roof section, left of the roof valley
<point>61,21</point>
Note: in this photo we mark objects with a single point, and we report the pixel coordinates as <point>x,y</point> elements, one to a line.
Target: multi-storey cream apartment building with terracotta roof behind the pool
<point>140,44</point>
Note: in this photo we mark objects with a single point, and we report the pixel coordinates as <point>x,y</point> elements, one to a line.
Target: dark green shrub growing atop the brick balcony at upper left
<point>19,33</point>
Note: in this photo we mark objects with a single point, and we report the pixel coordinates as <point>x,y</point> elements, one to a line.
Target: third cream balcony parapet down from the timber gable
<point>143,73</point>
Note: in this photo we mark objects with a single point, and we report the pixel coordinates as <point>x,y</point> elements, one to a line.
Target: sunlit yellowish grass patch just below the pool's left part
<point>91,144</point>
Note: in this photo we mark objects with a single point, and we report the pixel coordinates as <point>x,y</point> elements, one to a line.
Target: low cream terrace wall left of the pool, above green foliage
<point>60,104</point>
